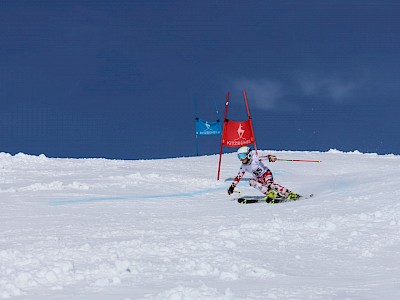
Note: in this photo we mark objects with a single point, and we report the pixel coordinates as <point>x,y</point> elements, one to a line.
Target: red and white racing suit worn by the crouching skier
<point>262,177</point>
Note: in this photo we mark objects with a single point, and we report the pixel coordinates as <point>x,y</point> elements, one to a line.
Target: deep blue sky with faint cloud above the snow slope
<point>117,79</point>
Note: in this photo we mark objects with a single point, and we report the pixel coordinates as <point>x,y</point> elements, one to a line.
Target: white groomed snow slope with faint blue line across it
<point>166,229</point>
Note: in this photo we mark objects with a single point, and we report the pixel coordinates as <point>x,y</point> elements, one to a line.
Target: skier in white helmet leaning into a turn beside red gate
<point>262,177</point>
